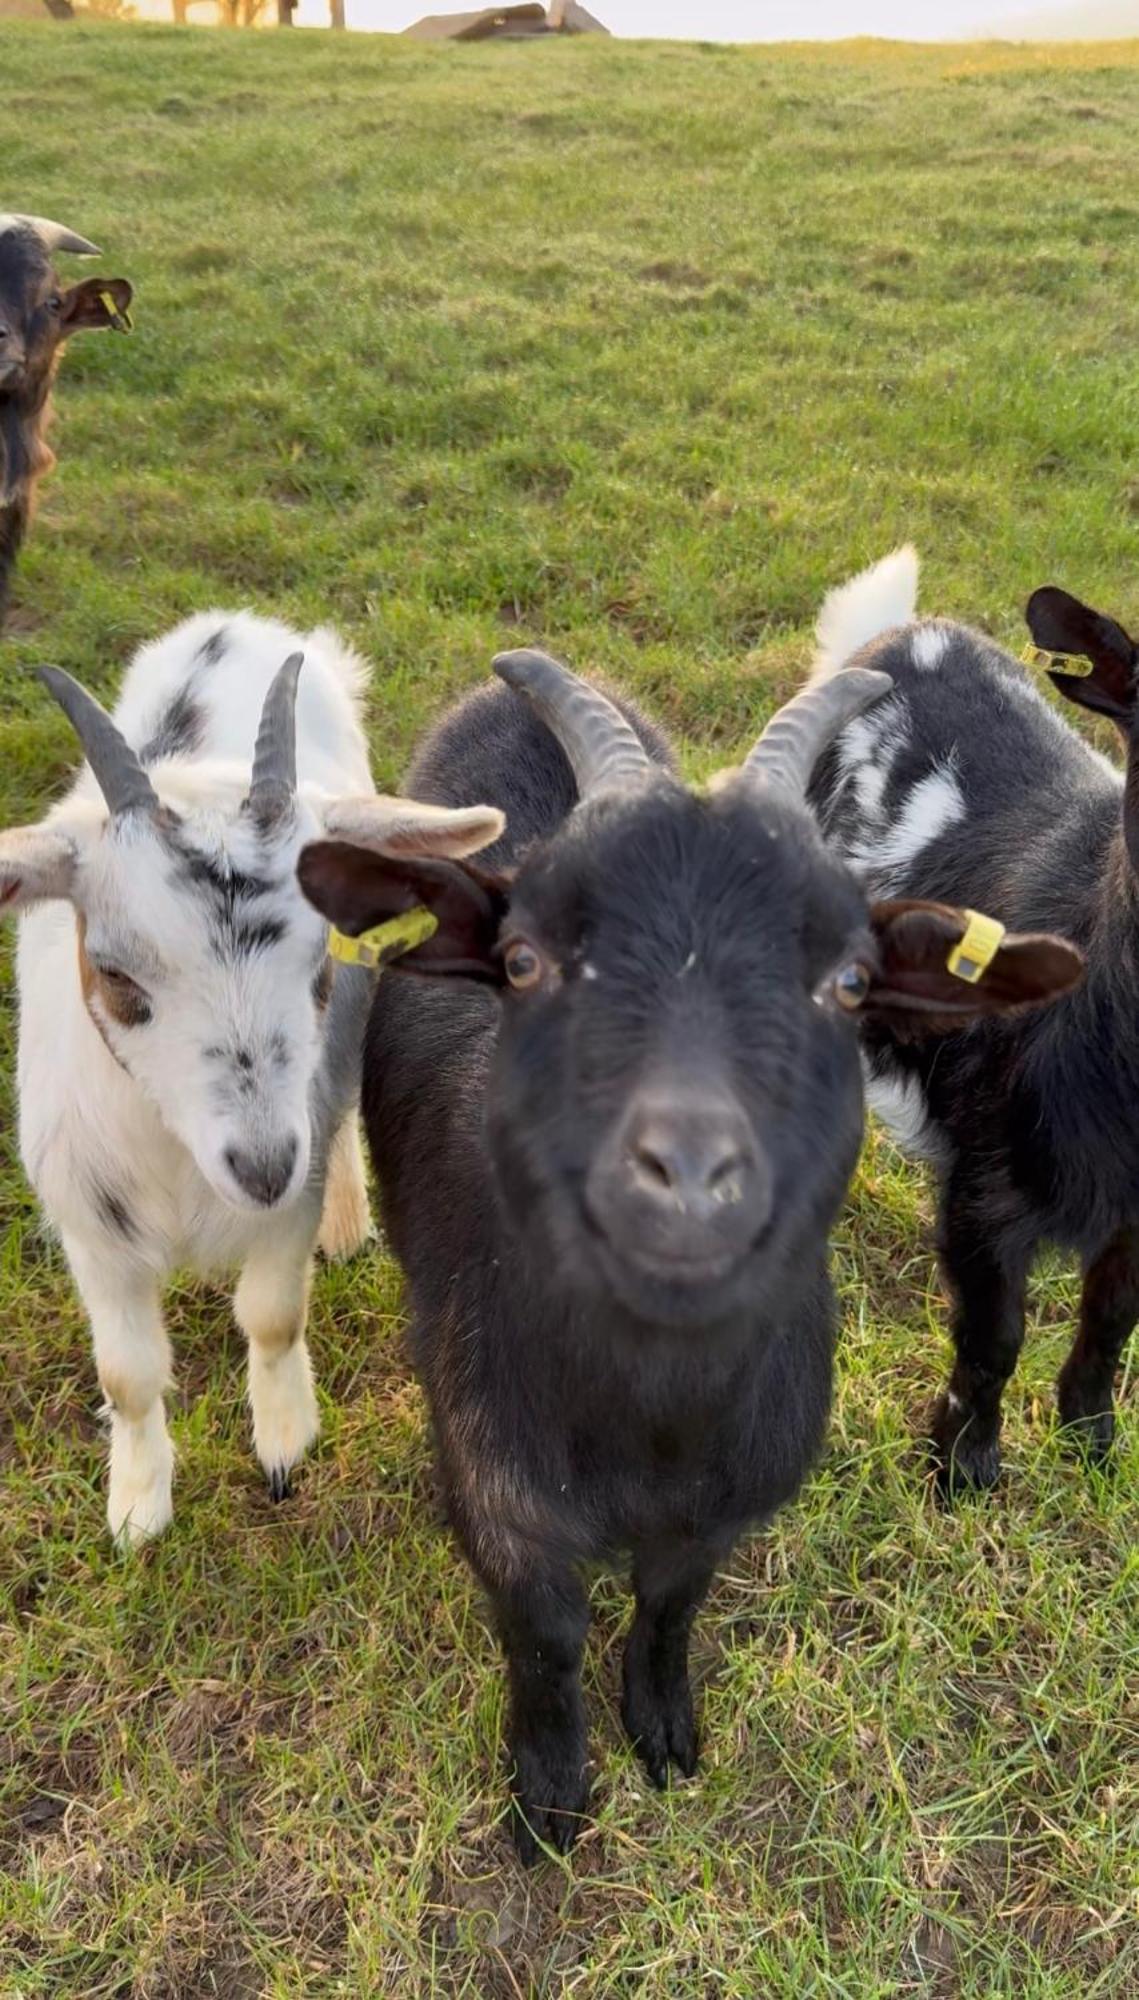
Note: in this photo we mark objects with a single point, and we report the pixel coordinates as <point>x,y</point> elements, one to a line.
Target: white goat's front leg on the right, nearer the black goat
<point>271,1307</point>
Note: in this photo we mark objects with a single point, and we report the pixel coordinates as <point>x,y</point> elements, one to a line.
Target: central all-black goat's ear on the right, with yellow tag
<point>914,991</point>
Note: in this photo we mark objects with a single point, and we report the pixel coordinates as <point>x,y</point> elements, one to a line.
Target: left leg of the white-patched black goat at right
<point>988,1325</point>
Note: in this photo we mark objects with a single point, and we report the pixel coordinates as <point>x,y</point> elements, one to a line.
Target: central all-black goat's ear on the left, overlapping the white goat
<point>357,891</point>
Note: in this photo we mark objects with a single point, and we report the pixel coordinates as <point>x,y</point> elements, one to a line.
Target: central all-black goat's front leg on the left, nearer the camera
<point>543,1627</point>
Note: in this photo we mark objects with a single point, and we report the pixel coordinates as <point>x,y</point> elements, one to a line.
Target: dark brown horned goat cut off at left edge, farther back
<point>37,315</point>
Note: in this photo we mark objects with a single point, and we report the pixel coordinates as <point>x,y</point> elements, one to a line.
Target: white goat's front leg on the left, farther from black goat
<point>133,1361</point>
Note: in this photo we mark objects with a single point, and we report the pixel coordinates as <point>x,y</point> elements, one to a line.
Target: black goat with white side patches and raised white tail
<point>968,785</point>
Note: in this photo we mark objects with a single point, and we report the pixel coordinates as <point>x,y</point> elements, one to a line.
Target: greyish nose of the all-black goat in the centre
<point>692,1161</point>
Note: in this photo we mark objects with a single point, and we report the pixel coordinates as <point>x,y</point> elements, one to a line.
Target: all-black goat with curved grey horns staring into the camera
<point>610,1169</point>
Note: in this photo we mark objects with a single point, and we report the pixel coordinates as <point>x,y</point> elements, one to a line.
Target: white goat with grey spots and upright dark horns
<point>189,1055</point>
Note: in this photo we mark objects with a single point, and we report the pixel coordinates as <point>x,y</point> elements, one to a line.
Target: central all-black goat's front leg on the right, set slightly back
<point>670,1581</point>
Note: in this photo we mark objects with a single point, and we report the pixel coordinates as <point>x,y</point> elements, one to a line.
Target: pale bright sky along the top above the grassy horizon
<point>726,21</point>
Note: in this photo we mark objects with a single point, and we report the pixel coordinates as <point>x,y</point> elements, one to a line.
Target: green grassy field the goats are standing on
<point>636,351</point>
